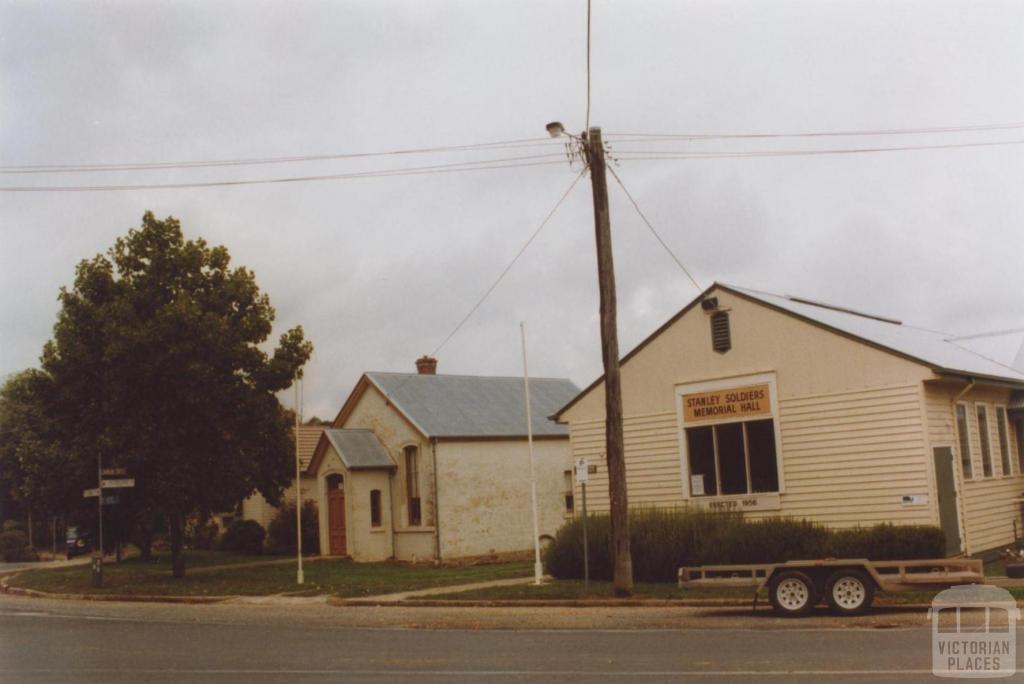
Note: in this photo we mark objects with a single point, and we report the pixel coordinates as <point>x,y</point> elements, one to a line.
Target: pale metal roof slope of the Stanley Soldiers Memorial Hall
<point>940,351</point>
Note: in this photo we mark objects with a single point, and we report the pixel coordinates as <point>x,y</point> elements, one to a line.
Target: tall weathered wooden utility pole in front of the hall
<point>622,559</point>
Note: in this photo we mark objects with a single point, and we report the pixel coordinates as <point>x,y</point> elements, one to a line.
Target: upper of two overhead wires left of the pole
<point>142,166</point>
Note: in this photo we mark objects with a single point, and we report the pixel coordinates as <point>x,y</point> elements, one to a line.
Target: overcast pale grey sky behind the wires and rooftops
<point>379,271</point>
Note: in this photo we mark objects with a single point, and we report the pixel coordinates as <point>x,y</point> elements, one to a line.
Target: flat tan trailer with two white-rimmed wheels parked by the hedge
<point>848,585</point>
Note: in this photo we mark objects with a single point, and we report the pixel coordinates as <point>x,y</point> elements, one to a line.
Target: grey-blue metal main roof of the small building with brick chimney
<point>456,406</point>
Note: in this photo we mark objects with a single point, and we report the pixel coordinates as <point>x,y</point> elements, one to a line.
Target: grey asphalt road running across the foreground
<point>53,642</point>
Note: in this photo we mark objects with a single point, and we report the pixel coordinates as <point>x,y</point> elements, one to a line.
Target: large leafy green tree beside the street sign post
<point>157,368</point>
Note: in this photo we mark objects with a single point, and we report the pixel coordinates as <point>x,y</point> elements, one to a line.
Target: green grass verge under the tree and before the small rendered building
<point>344,579</point>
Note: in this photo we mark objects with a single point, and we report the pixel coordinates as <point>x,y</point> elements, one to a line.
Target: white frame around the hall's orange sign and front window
<point>719,384</point>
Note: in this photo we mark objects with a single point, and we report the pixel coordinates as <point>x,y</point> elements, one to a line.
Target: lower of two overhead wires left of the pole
<point>484,165</point>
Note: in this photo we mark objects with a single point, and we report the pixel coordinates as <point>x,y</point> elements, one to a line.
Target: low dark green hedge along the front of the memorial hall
<point>665,540</point>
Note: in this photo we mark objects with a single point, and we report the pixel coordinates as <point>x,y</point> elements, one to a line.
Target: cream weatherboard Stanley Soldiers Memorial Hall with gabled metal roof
<point>772,405</point>
